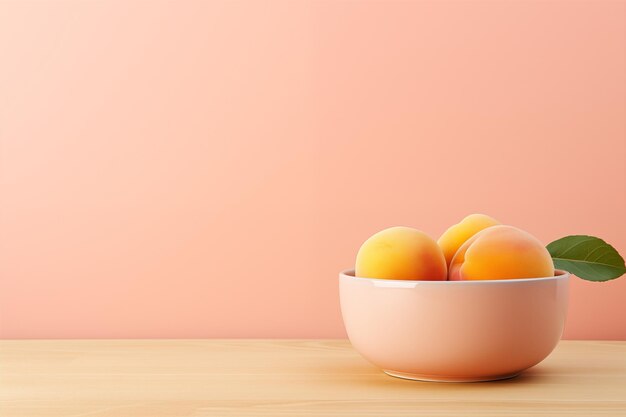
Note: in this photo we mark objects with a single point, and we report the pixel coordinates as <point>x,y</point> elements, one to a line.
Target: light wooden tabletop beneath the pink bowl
<point>154,378</point>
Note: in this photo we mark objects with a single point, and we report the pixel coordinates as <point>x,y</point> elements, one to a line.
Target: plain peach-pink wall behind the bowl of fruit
<point>204,169</point>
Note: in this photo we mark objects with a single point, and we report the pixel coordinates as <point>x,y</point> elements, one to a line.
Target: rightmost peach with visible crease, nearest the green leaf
<point>501,252</point>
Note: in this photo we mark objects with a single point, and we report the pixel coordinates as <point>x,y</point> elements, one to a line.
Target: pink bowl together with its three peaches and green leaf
<point>498,309</point>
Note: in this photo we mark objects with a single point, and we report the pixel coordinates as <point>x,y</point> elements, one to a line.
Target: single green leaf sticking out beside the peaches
<point>587,257</point>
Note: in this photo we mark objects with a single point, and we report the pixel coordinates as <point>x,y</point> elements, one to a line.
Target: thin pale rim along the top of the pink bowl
<point>348,274</point>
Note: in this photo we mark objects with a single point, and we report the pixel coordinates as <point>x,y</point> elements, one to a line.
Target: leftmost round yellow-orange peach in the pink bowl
<point>401,253</point>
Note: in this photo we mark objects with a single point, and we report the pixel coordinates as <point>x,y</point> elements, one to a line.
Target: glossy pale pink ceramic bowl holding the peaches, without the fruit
<point>454,330</point>
